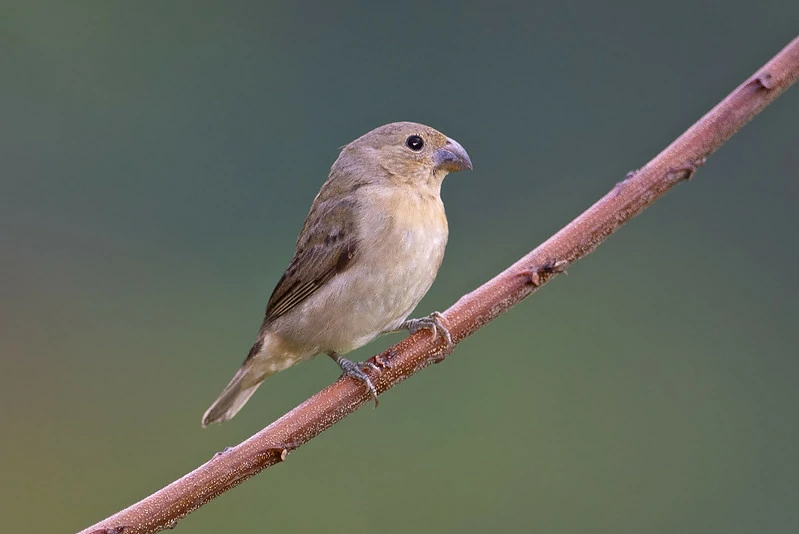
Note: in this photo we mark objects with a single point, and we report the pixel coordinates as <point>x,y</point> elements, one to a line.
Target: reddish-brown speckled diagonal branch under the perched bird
<point>628,198</point>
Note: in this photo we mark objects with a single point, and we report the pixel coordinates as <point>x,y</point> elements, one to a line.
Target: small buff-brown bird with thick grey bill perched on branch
<point>368,252</point>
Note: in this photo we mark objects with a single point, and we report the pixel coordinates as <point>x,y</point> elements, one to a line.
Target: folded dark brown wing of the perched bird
<point>326,246</point>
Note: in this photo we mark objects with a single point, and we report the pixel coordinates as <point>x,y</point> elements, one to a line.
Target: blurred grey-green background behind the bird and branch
<point>158,159</point>
